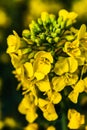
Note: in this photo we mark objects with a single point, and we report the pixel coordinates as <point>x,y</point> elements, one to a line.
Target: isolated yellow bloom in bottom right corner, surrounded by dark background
<point>75,119</point>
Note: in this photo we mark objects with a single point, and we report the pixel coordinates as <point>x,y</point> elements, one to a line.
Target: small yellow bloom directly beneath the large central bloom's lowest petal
<point>44,85</point>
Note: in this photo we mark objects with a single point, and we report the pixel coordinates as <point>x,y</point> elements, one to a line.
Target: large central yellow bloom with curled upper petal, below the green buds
<point>42,64</point>
